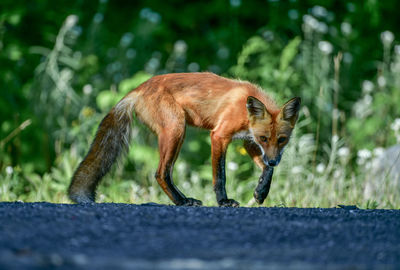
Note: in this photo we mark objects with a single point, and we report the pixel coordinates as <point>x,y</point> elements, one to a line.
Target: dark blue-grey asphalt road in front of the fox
<point>122,236</point>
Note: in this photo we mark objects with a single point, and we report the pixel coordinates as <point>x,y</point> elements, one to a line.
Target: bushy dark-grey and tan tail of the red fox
<point>111,139</point>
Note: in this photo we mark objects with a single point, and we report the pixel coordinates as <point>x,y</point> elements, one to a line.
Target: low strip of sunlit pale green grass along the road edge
<point>295,182</point>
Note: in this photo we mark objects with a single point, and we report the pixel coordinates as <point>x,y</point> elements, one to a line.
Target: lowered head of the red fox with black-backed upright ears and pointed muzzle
<point>272,130</point>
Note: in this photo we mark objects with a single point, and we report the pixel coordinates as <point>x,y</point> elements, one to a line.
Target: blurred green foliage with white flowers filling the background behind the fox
<point>64,64</point>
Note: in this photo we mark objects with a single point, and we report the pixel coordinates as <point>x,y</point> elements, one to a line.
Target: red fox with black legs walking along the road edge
<point>230,109</point>
